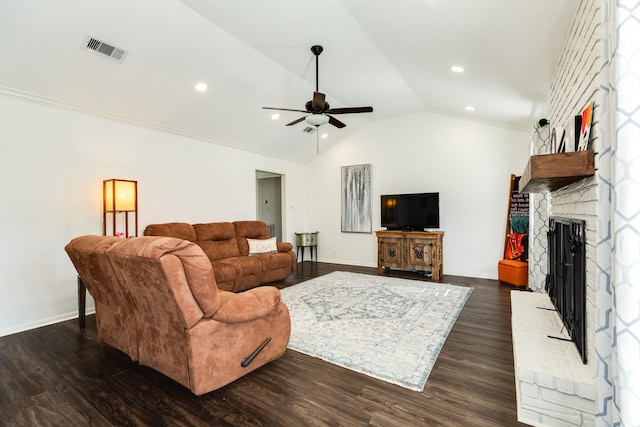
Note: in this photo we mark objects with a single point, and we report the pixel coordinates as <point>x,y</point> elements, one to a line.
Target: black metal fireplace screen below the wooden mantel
<point>566,279</point>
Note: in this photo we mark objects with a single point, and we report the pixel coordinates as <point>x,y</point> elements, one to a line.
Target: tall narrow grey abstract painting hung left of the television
<point>356,199</point>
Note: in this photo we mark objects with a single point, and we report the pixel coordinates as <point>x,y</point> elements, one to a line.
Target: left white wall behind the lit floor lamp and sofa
<point>52,163</point>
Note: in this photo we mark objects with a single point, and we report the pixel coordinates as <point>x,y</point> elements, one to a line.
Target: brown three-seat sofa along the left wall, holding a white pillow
<point>227,247</point>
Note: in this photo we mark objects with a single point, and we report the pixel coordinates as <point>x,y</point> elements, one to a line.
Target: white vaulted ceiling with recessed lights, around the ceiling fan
<point>392,55</point>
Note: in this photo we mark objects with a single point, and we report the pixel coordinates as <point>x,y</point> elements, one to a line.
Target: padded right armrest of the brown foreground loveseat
<point>248,305</point>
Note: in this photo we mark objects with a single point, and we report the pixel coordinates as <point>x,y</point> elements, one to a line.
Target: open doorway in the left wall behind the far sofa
<point>269,201</point>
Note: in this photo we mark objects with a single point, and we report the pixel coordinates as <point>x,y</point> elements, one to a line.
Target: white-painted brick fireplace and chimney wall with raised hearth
<point>554,387</point>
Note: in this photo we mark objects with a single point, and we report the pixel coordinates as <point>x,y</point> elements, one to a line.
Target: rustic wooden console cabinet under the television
<point>411,251</point>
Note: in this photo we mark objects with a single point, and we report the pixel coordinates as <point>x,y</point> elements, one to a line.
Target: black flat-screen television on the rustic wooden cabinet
<point>417,211</point>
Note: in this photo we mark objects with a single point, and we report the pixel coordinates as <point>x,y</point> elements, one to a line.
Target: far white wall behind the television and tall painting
<point>468,162</point>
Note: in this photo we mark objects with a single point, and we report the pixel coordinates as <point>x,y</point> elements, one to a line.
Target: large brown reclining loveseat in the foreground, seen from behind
<point>156,300</point>
